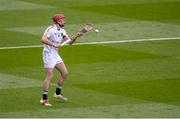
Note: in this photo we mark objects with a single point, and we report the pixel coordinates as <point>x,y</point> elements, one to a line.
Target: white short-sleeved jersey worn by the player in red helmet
<point>55,35</point>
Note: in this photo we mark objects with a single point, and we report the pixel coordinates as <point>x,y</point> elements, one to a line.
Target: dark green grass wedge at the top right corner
<point>164,12</point>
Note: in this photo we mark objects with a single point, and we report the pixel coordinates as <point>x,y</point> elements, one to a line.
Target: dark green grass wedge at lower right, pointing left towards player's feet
<point>141,90</point>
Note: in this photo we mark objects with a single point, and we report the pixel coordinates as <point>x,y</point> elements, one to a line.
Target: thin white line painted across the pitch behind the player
<point>92,43</point>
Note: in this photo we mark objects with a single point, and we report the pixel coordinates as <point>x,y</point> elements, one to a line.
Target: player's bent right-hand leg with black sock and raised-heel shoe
<point>61,67</point>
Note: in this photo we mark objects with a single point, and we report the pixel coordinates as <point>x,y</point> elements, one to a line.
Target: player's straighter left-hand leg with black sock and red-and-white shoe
<point>46,84</point>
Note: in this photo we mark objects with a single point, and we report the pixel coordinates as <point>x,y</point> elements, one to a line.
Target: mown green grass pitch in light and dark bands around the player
<point>133,79</point>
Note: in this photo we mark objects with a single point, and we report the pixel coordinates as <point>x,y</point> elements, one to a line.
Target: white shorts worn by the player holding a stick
<point>51,59</point>
